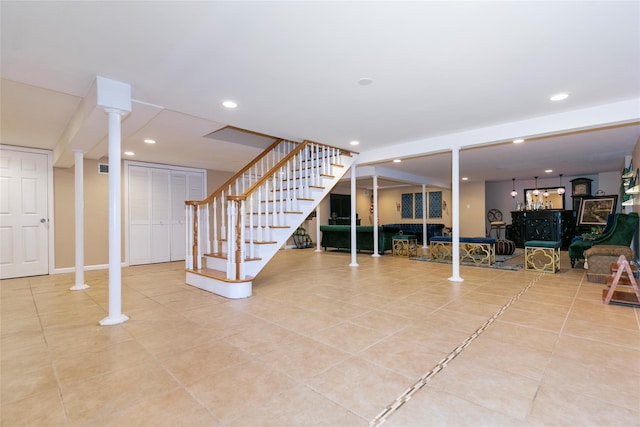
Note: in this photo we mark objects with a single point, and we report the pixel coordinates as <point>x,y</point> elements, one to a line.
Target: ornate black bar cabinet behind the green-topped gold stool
<point>548,225</point>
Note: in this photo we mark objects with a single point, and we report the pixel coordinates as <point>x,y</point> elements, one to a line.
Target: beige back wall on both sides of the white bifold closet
<point>96,213</point>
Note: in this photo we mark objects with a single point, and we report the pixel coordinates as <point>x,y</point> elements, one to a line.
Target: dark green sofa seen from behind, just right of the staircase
<point>339,237</point>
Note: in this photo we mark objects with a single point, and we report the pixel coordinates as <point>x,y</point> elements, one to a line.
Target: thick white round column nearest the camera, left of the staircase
<point>115,257</point>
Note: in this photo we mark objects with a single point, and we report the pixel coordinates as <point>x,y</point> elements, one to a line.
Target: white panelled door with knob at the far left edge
<point>24,220</point>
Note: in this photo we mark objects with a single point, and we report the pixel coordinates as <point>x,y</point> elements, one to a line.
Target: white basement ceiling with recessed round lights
<point>471,75</point>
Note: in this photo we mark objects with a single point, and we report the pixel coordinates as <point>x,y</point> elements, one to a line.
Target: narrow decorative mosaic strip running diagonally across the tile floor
<point>422,381</point>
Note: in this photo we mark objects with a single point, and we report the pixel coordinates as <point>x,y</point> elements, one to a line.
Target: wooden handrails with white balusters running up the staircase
<point>247,208</point>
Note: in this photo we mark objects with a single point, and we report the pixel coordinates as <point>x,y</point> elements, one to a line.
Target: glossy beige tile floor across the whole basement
<point>319,343</point>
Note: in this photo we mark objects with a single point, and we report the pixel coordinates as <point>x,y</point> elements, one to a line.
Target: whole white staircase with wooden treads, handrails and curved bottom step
<point>234,233</point>
